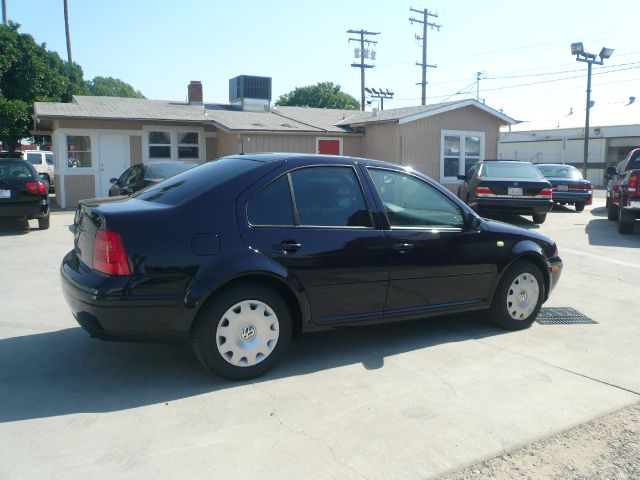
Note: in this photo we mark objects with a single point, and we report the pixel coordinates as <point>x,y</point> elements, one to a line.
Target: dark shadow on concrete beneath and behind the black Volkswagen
<point>67,372</point>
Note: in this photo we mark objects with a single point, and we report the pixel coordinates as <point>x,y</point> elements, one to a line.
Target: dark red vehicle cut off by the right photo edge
<point>623,192</point>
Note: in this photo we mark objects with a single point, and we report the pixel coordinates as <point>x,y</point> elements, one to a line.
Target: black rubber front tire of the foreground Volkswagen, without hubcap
<point>500,308</point>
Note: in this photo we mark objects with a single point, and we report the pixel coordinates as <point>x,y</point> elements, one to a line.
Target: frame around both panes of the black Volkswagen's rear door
<point>294,205</point>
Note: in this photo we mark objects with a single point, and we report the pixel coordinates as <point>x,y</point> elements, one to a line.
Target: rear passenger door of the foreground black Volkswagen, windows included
<point>316,222</point>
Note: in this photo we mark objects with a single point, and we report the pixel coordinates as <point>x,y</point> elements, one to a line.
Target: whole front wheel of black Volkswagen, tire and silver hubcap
<point>519,296</point>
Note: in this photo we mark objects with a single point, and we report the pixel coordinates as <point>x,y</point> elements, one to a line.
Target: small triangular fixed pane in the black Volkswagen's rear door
<point>272,205</point>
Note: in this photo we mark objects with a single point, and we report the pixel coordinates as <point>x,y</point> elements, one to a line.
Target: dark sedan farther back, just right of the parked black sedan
<point>568,185</point>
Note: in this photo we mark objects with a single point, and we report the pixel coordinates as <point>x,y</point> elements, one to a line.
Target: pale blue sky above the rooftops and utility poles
<point>159,46</point>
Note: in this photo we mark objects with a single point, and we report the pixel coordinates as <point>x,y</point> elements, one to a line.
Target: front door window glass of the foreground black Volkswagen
<point>411,202</point>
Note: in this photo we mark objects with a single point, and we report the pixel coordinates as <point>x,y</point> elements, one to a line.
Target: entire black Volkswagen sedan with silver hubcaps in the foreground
<point>263,246</point>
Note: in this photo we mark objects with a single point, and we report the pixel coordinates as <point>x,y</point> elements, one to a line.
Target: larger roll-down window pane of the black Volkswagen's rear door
<point>330,197</point>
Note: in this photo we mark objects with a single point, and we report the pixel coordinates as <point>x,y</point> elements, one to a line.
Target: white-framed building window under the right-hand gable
<point>460,150</point>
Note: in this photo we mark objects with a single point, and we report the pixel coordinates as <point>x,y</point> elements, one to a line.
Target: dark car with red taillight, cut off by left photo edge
<point>22,193</point>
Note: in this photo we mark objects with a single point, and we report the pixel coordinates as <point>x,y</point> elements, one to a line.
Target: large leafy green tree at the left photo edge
<point>30,73</point>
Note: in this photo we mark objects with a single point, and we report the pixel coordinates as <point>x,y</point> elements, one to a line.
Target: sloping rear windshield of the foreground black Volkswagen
<point>188,185</point>
